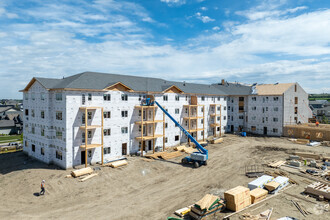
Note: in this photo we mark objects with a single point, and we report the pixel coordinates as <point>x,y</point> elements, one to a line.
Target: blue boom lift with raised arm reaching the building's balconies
<point>196,158</point>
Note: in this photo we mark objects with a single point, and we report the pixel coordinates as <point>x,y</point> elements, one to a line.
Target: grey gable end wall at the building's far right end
<point>304,112</point>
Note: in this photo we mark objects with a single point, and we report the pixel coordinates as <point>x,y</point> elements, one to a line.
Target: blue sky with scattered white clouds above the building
<point>193,40</point>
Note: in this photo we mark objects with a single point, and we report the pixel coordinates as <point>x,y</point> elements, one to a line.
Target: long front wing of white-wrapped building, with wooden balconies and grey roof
<point>93,117</point>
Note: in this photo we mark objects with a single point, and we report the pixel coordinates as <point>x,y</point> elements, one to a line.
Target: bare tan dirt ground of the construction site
<point>147,190</point>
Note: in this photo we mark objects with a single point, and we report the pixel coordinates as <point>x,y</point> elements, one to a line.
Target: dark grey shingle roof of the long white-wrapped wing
<point>99,81</point>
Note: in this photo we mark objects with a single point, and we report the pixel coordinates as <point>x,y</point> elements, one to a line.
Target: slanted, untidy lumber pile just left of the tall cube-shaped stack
<point>207,205</point>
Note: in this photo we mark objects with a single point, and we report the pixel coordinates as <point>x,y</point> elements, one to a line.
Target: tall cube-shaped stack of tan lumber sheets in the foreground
<point>237,198</point>
